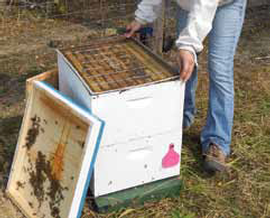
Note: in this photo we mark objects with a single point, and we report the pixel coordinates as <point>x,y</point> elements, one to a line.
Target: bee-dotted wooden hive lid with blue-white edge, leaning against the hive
<point>55,155</point>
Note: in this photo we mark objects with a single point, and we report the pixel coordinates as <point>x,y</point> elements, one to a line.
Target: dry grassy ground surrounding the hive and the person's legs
<point>27,48</point>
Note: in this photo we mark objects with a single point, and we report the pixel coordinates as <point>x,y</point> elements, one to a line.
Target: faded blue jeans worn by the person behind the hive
<point>223,39</point>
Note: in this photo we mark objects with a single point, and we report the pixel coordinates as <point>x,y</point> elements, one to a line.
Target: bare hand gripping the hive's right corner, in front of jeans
<point>186,64</point>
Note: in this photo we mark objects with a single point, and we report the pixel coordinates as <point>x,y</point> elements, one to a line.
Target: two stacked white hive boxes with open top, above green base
<point>139,97</point>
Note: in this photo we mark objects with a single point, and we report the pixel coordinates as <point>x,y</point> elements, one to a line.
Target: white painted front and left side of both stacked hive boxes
<point>133,115</point>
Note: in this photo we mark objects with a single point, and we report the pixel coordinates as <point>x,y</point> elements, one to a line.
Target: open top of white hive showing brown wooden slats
<point>117,63</point>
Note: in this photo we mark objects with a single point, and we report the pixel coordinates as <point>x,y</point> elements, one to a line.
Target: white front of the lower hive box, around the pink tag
<point>134,163</point>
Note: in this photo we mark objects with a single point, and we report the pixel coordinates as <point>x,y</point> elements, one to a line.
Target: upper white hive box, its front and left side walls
<point>134,113</point>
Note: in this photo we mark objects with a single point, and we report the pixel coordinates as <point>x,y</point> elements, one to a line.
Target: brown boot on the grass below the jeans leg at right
<point>214,159</point>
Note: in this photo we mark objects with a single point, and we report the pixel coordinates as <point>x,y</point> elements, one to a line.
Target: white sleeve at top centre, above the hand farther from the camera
<point>147,11</point>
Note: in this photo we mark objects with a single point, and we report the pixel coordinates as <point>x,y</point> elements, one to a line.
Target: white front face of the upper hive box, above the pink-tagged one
<point>139,112</point>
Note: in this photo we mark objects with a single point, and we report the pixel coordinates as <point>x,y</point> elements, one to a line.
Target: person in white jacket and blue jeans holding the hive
<point>222,21</point>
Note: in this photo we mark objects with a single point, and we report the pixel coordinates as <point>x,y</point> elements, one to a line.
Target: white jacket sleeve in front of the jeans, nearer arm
<point>199,24</point>
